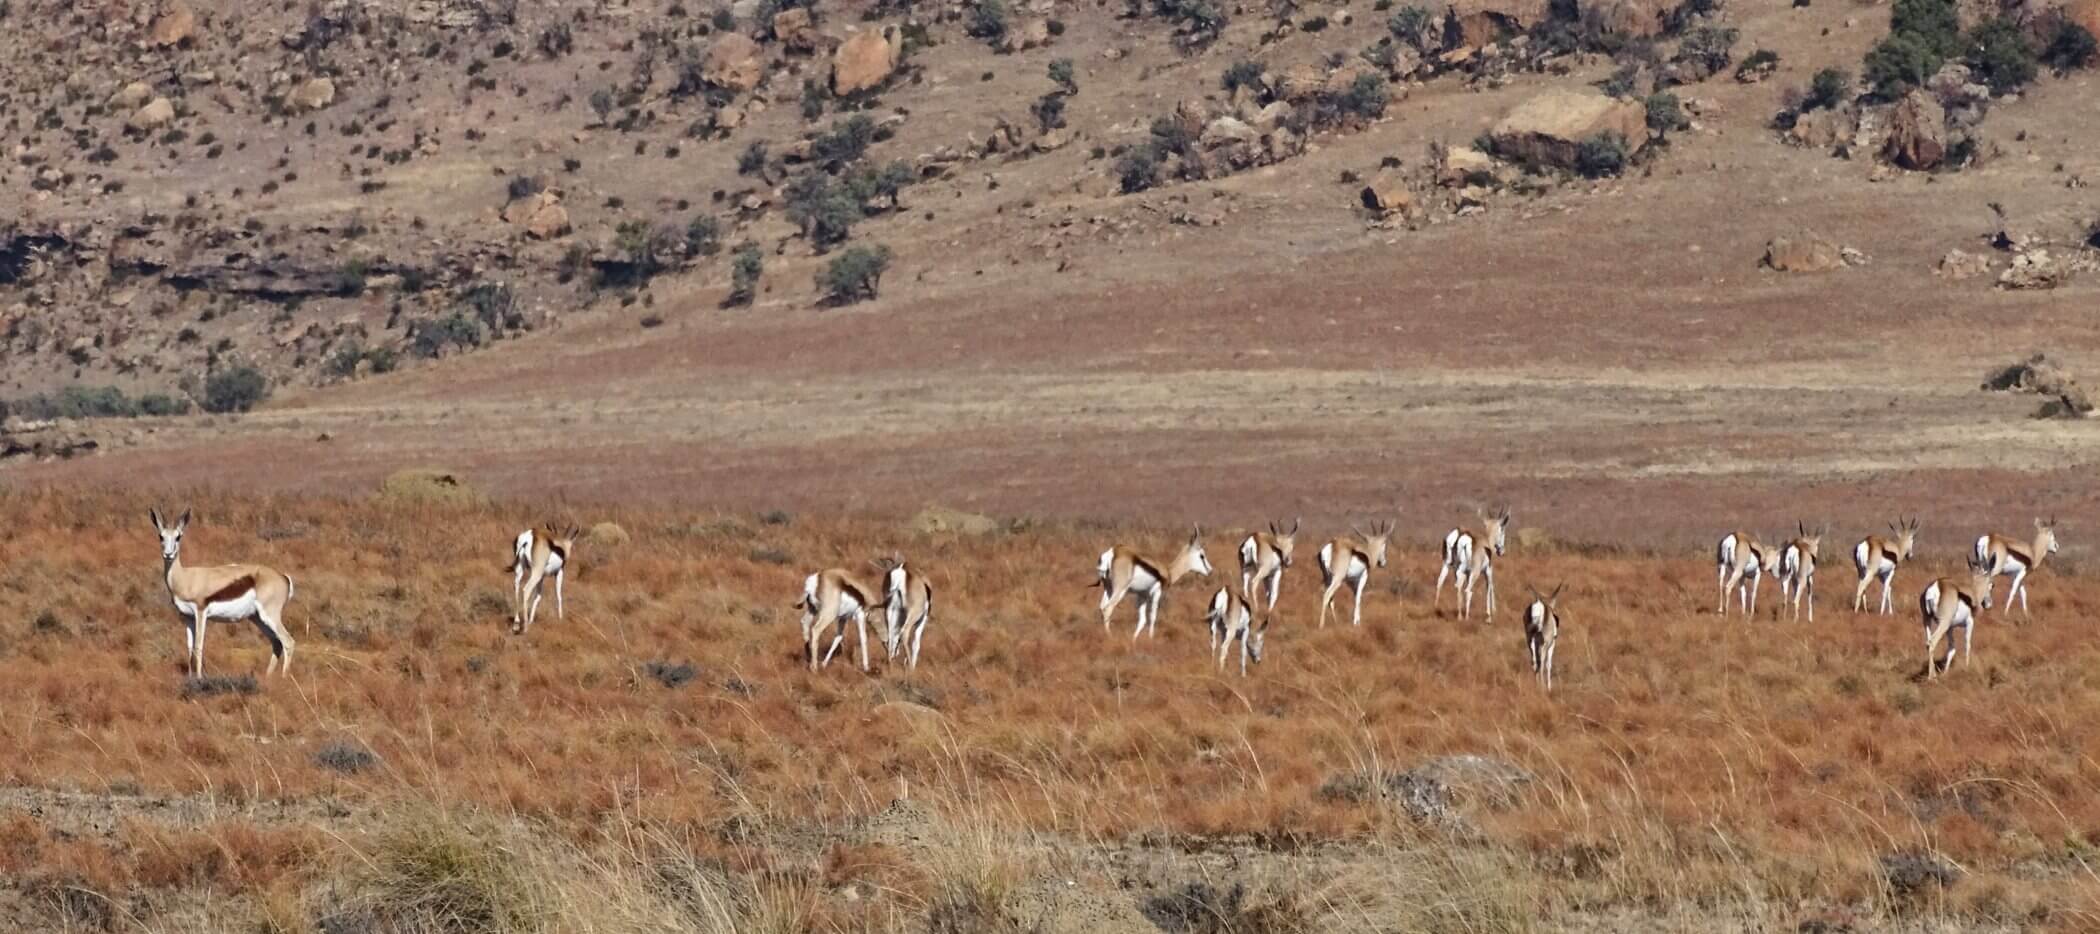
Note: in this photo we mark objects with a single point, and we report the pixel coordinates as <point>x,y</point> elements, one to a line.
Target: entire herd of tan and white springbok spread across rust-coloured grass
<point>1240,612</point>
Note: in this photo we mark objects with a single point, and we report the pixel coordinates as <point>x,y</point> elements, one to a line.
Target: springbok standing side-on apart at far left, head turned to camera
<point>224,593</point>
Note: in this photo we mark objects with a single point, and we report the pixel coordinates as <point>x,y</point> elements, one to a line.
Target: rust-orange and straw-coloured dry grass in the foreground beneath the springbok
<point>1687,767</point>
